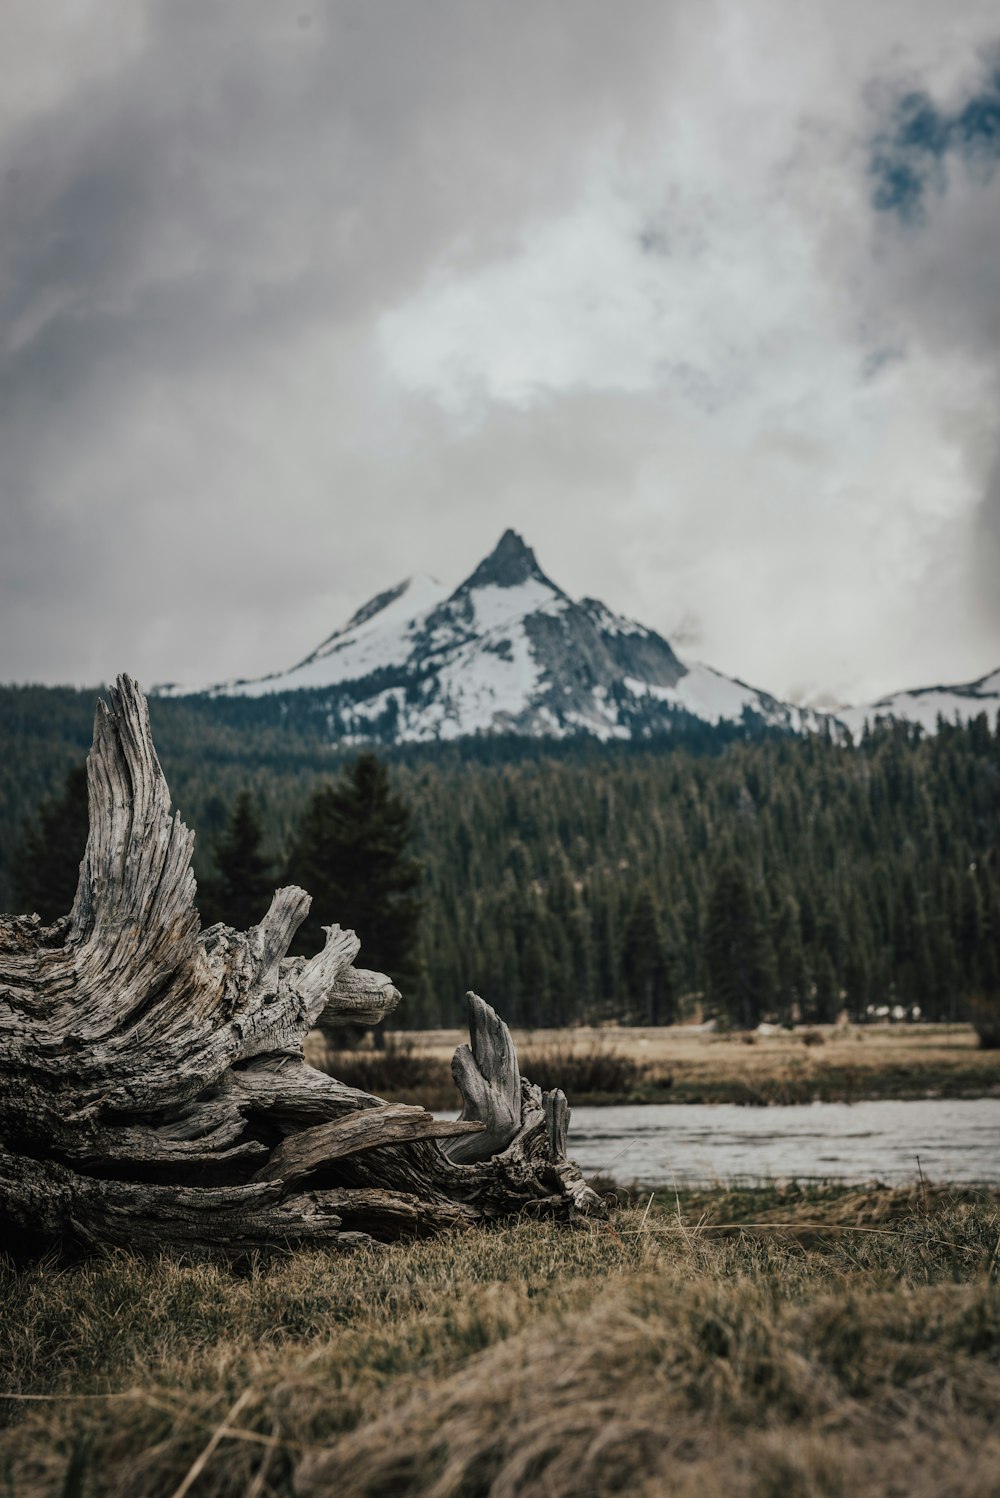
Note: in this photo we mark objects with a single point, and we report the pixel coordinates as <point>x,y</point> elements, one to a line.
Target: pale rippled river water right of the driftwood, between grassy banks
<point>698,1144</point>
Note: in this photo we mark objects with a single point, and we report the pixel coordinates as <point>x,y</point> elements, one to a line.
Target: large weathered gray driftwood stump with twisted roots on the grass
<point>152,1079</point>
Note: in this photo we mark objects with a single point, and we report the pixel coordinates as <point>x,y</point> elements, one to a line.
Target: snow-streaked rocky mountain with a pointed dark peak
<point>508,652</point>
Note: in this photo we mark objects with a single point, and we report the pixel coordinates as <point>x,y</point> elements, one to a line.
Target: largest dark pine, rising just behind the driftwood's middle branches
<point>351,853</point>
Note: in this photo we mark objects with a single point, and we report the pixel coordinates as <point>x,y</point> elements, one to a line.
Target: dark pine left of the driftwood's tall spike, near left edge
<point>47,861</point>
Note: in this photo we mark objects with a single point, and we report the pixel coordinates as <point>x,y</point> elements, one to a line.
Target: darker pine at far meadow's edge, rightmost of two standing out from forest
<point>737,950</point>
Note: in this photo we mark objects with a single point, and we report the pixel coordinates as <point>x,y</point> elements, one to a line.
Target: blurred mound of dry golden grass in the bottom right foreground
<point>715,1391</point>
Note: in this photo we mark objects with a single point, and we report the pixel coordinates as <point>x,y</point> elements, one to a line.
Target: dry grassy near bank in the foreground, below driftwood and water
<point>745,1343</point>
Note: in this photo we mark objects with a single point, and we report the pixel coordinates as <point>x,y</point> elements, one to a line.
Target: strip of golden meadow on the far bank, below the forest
<point>682,1064</point>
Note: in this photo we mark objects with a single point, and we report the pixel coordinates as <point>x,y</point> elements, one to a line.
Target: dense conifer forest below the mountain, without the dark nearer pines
<point>751,877</point>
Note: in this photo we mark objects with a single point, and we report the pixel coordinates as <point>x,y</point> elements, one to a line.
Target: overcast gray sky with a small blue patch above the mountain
<point>701,296</point>
